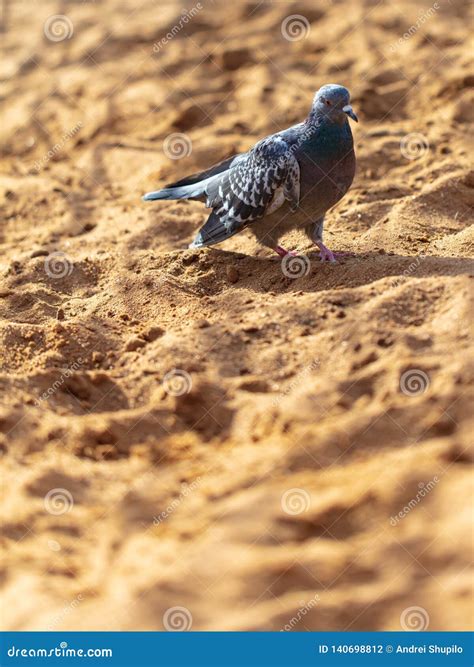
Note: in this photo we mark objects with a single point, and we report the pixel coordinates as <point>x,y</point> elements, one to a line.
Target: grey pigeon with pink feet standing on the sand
<point>288,180</point>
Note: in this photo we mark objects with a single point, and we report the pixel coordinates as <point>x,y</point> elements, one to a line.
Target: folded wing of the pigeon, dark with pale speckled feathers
<point>258,183</point>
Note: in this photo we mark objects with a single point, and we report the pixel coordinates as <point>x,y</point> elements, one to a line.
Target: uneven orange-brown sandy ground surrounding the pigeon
<point>194,429</point>
